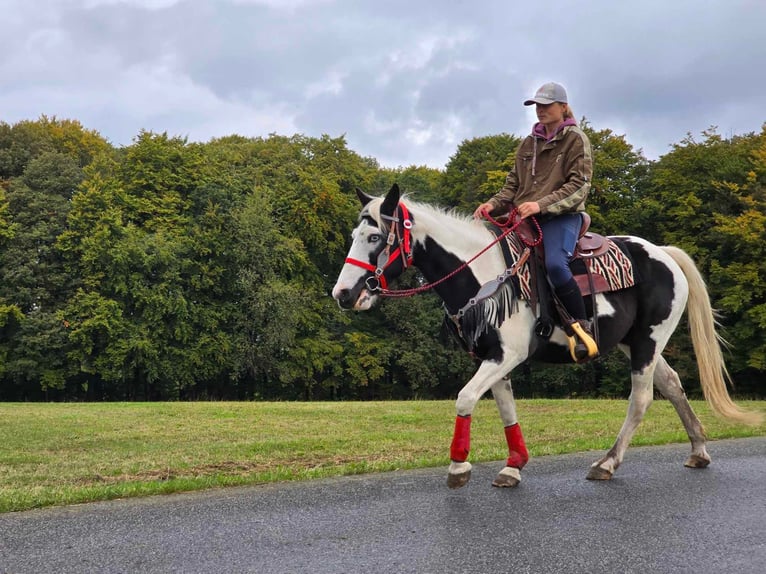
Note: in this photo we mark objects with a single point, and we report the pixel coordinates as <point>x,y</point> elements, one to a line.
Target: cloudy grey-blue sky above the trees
<point>404,81</point>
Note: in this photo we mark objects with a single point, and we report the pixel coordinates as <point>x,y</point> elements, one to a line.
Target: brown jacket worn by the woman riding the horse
<point>556,173</point>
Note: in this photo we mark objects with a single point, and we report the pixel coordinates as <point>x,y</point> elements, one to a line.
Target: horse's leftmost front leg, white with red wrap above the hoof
<point>488,374</point>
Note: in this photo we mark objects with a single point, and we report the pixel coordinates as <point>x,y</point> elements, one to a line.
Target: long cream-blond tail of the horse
<point>707,344</point>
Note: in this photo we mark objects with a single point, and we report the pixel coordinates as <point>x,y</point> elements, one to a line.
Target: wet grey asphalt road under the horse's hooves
<point>654,516</point>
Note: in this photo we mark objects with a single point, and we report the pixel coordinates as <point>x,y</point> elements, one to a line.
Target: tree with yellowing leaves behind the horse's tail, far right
<point>704,197</point>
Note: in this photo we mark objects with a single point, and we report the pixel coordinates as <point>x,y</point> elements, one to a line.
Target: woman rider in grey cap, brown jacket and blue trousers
<point>551,178</point>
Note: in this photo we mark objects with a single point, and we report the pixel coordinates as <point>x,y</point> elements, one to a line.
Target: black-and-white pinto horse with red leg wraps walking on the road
<point>463,262</point>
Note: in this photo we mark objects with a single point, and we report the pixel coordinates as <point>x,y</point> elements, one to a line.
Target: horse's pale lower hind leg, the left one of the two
<point>641,396</point>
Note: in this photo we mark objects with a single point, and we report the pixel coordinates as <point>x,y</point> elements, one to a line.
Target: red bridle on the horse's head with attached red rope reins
<point>378,282</point>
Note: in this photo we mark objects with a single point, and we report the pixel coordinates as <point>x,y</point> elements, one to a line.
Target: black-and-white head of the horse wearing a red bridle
<point>380,251</point>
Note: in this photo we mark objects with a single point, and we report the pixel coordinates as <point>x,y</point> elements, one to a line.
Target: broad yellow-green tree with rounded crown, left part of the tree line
<point>142,236</point>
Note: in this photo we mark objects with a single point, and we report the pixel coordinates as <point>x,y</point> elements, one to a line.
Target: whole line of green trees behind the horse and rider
<point>171,270</point>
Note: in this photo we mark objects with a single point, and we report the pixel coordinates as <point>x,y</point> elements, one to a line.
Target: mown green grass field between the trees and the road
<point>68,453</point>
